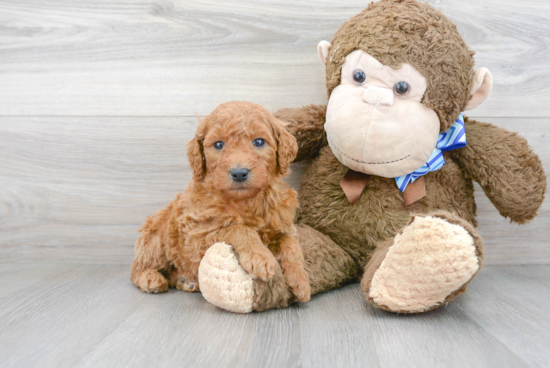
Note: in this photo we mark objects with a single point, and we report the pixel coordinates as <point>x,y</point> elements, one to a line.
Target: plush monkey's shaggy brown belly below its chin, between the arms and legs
<point>379,213</point>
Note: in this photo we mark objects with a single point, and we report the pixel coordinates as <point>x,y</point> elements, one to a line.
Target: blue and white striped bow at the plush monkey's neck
<point>453,138</point>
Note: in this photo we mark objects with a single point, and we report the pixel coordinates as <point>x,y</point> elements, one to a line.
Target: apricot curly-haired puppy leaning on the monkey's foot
<point>239,157</point>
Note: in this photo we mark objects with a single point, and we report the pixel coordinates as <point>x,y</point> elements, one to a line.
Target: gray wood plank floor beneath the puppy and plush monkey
<point>92,316</point>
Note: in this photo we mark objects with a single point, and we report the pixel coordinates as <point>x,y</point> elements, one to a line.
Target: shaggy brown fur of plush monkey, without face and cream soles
<point>343,242</point>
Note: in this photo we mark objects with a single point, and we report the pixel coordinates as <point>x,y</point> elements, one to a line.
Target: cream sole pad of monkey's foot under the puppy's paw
<point>223,282</point>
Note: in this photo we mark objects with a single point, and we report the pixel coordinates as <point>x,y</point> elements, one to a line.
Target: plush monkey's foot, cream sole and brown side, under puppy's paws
<point>225,284</point>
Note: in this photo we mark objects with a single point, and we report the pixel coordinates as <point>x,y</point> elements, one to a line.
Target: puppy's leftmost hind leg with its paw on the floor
<point>150,259</point>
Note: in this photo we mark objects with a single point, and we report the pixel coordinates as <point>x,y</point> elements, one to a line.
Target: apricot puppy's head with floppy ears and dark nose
<point>243,148</point>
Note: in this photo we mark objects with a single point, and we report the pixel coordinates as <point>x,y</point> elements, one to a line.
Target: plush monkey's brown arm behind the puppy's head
<point>306,124</point>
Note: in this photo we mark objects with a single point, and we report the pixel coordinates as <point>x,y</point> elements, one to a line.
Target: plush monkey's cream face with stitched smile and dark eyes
<point>376,122</point>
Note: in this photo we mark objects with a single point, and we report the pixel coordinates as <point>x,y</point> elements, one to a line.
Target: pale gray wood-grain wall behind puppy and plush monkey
<point>98,99</point>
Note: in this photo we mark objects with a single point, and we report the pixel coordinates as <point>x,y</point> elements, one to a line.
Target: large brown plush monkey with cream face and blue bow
<point>388,197</point>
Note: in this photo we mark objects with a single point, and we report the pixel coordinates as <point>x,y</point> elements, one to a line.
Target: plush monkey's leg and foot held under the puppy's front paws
<point>225,284</point>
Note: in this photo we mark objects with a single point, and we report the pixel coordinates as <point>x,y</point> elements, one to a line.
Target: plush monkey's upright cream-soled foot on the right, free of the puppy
<point>428,263</point>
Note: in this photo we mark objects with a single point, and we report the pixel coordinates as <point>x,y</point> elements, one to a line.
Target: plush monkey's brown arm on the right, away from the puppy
<point>510,173</point>
